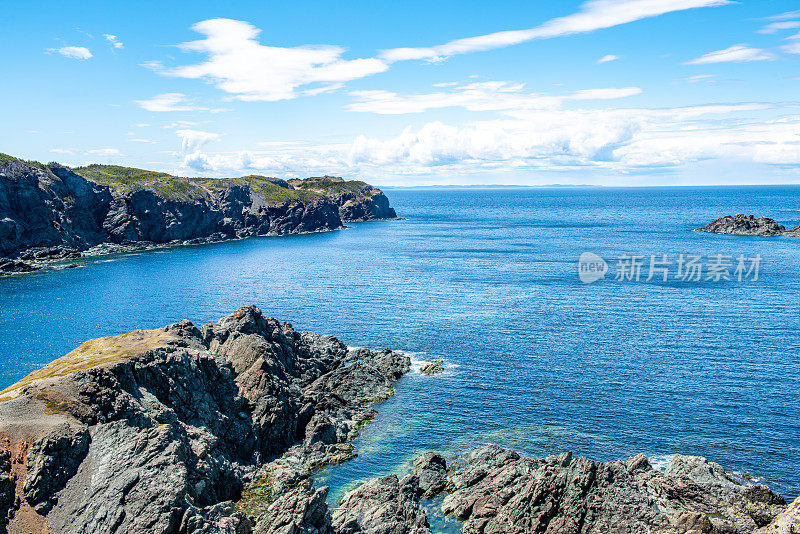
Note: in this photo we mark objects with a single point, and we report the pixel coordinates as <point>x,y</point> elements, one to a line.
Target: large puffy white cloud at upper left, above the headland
<point>239,65</point>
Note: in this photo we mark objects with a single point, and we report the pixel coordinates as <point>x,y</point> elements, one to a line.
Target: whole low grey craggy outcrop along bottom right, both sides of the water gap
<point>493,490</point>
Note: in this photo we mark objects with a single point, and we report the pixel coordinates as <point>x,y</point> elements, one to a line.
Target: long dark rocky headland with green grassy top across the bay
<point>52,212</point>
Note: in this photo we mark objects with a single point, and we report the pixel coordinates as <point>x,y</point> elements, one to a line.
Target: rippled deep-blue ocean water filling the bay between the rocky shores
<point>487,279</point>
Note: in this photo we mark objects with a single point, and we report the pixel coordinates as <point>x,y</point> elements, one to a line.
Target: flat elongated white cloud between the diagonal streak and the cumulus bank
<point>480,96</point>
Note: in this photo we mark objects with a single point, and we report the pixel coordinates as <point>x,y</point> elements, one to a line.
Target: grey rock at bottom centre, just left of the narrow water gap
<point>384,505</point>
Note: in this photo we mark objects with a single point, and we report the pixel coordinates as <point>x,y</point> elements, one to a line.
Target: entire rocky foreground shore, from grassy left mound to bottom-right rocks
<point>219,429</point>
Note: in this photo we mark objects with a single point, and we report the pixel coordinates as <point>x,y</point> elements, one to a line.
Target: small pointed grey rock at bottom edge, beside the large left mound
<point>300,511</point>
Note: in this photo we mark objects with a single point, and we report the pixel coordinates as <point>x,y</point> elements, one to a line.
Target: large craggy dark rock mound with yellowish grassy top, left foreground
<point>171,430</point>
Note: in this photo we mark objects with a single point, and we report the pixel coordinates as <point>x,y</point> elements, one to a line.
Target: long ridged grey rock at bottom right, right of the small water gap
<point>496,491</point>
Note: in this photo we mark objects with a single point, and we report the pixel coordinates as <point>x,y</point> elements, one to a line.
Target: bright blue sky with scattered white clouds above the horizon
<point>613,92</point>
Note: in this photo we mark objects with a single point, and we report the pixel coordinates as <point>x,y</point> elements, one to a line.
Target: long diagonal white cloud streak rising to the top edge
<point>593,15</point>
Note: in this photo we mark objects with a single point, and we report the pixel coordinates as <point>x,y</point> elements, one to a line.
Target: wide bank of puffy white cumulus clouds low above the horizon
<point>629,140</point>
